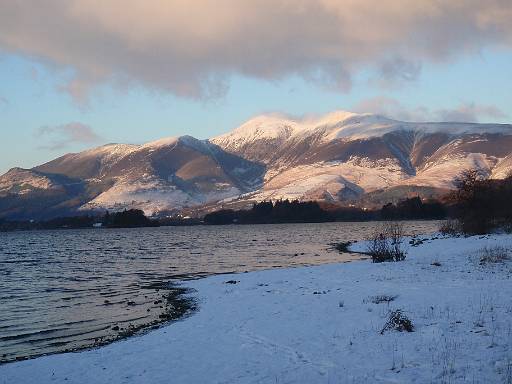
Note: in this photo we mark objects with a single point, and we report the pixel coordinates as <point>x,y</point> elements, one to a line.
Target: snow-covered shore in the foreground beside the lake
<point>322,325</point>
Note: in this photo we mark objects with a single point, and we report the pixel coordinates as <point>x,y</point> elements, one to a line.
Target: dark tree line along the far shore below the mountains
<point>266,212</point>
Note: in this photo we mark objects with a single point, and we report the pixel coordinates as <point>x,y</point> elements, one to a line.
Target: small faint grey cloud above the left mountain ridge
<point>61,136</point>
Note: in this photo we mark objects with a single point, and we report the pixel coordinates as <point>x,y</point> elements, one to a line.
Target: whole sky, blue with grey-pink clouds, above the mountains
<point>75,74</point>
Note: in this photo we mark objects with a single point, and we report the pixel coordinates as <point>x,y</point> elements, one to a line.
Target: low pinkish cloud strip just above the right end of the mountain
<point>464,112</point>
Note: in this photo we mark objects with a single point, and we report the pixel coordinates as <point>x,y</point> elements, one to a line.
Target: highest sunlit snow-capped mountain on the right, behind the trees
<point>304,158</point>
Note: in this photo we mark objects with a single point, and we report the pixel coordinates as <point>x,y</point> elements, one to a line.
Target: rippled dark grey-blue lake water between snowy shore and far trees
<point>70,289</point>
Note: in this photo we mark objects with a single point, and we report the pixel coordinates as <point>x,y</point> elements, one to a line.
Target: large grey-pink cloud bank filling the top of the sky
<point>190,49</point>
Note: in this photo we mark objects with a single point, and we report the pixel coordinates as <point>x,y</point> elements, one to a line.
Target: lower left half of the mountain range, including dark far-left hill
<point>167,174</point>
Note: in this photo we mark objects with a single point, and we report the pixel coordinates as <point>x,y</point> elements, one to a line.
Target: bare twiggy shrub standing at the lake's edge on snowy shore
<point>386,244</point>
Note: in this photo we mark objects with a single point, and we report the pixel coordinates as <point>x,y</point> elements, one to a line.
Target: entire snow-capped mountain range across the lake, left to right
<point>341,157</point>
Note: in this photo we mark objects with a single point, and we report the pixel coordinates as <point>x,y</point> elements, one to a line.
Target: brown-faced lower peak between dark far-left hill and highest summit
<point>173,173</point>
